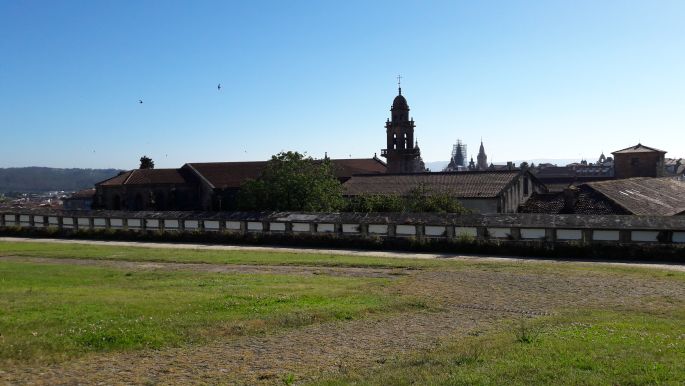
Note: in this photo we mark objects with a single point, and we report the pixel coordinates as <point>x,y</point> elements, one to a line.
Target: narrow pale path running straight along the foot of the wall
<point>350,252</point>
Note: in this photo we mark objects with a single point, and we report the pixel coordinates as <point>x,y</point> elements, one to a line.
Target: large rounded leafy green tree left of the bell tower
<point>293,181</point>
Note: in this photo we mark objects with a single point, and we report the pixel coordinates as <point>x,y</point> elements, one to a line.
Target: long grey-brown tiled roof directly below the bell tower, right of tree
<point>481,184</point>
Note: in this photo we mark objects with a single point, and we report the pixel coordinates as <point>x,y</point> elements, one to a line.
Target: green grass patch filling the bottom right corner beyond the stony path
<point>580,347</point>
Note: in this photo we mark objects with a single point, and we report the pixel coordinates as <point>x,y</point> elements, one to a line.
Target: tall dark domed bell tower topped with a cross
<point>402,154</point>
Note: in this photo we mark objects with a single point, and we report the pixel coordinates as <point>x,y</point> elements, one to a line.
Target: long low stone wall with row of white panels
<point>511,227</point>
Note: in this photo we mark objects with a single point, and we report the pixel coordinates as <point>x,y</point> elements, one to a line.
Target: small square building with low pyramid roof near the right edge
<point>638,161</point>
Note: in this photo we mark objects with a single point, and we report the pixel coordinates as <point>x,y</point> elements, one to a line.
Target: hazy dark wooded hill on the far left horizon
<point>42,179</point>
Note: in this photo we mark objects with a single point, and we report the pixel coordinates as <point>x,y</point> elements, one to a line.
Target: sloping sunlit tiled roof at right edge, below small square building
<point>645,195</point>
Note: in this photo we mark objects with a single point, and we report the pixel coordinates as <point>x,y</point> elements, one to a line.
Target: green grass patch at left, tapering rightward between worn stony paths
<point>52,312</point>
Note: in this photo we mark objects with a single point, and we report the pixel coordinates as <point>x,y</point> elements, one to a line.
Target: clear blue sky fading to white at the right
<point>534,79</point>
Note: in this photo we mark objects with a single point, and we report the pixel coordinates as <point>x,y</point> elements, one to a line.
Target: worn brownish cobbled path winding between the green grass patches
<point>468,301</point>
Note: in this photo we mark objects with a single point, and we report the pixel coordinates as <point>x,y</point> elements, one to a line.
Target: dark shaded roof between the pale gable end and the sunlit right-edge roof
<point>586,201</point>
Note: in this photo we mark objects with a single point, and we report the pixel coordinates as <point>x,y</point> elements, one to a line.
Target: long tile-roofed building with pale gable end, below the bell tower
<point>482,191</point>
